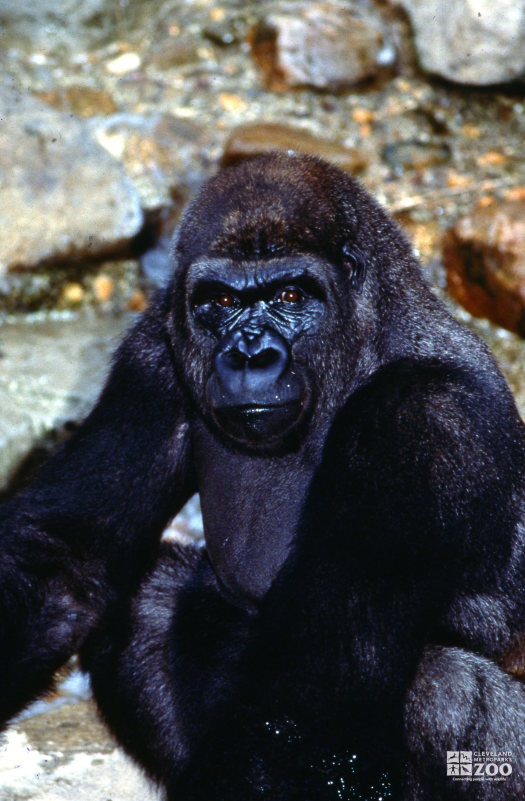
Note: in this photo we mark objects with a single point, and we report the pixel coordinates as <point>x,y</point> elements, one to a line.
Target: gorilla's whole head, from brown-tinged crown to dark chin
<point>270,299</point>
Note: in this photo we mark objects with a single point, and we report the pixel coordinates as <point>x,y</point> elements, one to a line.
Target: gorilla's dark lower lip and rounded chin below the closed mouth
<point>259,424</point>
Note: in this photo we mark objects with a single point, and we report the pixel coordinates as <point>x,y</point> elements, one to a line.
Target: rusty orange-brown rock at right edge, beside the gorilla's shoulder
<point>484,255</point>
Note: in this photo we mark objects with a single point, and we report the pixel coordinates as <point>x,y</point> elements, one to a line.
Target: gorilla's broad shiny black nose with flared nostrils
<point>252,360</point>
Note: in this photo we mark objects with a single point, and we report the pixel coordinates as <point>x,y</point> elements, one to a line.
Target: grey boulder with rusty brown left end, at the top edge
<point>324,45</point>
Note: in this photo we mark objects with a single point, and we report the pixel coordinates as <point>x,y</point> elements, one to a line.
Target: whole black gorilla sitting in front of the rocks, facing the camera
<point>358,609</point>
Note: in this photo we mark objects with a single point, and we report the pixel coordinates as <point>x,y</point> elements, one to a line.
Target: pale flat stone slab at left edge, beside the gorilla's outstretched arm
<point>51,372</point>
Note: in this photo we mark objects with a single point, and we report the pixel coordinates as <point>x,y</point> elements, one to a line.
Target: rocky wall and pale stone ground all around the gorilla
<point>112,114</point>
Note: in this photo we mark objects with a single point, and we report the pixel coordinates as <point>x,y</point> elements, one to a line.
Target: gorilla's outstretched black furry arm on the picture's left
<point>87,527</point>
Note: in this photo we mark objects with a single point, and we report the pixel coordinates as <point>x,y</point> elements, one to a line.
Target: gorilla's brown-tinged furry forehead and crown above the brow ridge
<point>267,206</point>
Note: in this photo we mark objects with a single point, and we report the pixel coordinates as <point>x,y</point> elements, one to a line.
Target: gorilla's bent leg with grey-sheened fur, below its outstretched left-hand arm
<point>166,664</point>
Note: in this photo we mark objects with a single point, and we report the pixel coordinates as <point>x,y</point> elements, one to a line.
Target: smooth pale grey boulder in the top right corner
<point>477,42</point>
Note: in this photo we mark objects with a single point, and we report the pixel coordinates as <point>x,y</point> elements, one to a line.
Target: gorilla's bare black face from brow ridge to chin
<point>259,316</point>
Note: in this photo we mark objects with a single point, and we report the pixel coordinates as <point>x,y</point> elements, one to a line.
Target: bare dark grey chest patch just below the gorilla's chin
<point>250,508</point>
